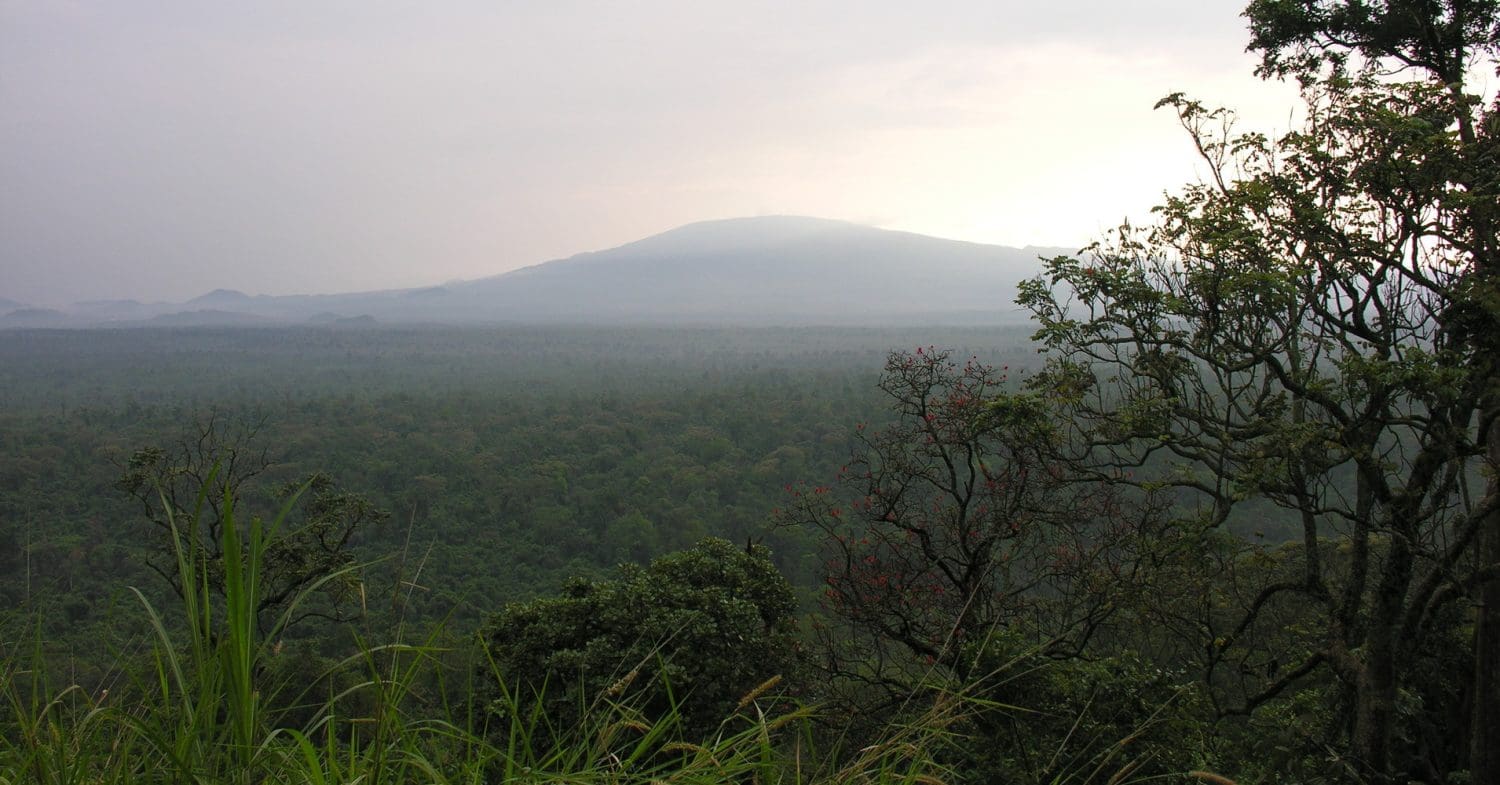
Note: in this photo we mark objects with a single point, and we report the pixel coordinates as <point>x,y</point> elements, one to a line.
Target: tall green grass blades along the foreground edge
<point>202,711</point>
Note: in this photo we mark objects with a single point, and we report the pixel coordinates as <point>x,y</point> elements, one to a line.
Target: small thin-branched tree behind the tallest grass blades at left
<point>184,490</point>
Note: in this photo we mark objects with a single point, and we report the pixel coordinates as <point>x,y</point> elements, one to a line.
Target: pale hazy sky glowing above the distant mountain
<point>157,151</point>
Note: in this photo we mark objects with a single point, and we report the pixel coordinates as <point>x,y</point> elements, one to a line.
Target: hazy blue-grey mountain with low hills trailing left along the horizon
<point>745,271</point>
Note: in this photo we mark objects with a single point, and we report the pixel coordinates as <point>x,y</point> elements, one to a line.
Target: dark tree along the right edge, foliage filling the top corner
<point>1442,41</point>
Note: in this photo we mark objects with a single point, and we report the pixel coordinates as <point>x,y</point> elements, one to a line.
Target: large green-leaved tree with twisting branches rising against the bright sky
<point>1315,328</point>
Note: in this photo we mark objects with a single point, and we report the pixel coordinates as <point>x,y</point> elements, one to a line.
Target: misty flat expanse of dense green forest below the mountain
<point>512,459</point>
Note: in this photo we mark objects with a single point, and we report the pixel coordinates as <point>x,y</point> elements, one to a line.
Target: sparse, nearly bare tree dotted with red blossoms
<point>956,526</point>
